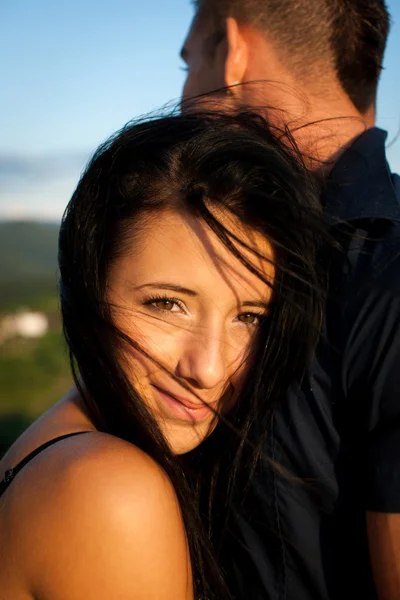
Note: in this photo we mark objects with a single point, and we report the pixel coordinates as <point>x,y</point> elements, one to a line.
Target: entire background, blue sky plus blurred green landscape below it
<point>73,73</point>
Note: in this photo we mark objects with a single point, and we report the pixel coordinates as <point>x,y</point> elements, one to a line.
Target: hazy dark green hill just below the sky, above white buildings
<point>28,261</point>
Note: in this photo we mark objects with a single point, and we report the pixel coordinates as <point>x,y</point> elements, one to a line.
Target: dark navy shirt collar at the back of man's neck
<point>360,185</point>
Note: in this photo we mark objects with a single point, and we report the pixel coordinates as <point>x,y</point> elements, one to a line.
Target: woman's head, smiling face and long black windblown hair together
<point>216,209</point>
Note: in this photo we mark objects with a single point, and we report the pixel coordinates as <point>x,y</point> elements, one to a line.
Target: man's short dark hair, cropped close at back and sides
<point>348,35</point>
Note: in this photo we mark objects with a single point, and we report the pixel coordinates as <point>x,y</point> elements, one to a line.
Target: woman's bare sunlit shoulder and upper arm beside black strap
<point>104,517</point>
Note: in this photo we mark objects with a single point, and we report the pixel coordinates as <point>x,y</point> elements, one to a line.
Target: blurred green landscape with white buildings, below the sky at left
<point>33,363</point>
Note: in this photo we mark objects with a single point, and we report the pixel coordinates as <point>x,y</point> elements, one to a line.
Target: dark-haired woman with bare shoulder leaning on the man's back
<point>191,297</point>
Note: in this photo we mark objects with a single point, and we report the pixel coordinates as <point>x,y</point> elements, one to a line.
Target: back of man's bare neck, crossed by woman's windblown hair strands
<point>320,116</point>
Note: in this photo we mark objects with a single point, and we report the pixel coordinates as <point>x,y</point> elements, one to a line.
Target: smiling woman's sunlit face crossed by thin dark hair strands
<point>195,309</point>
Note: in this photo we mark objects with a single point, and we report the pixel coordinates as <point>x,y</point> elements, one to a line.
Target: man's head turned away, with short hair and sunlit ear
<point>325,47</point>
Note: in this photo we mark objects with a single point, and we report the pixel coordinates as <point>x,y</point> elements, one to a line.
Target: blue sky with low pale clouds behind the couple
<point>73,72</point>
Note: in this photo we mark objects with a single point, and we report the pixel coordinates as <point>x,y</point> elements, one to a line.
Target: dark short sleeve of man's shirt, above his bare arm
<point>372,381</point>
